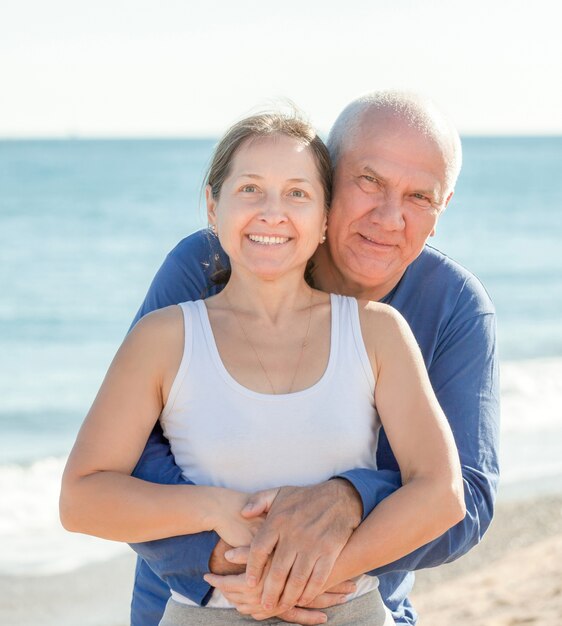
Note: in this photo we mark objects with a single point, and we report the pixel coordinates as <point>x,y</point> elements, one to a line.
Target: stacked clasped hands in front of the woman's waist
<point>285,570</point>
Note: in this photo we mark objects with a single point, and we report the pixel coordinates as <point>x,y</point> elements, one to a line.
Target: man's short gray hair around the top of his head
<point>418,112</point>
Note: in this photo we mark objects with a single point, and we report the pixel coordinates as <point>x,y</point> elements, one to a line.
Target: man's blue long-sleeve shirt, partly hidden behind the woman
<point>453,320</point>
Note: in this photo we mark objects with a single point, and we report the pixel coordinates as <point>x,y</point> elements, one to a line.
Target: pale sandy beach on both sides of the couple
<point>514,577</point>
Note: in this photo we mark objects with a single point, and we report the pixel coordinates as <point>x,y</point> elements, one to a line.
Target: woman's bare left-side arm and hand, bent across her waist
<point>98,496</point>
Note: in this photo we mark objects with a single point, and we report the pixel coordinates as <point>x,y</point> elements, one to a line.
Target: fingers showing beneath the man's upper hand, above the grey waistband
<point>248,600</point>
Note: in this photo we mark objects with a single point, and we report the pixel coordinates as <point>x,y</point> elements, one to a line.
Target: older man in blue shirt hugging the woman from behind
<point>396,160</point>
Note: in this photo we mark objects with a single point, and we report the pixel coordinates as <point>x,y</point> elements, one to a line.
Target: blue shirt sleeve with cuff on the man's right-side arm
<point>465,377</point>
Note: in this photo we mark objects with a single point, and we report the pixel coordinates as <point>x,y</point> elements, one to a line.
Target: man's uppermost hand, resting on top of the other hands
<point>305,529</point>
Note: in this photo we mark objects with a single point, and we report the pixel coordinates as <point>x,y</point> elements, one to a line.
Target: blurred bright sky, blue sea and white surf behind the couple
<point>108,115</point>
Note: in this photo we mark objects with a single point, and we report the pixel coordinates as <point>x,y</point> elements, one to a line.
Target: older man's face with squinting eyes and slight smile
<point>389,189</point>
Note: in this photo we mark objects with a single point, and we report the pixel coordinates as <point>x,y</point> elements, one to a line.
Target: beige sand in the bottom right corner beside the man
<point>514,577</point>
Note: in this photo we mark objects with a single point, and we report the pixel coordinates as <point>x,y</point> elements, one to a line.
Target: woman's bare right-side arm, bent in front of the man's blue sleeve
<point>431,499</point>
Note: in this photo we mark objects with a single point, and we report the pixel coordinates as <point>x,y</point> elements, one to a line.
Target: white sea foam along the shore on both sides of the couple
<point>32,540</point>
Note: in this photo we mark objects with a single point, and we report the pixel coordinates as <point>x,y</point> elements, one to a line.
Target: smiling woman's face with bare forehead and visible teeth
<point>270,213</point>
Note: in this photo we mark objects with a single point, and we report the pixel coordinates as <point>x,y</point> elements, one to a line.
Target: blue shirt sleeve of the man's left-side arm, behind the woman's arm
<point>179,561</point>
